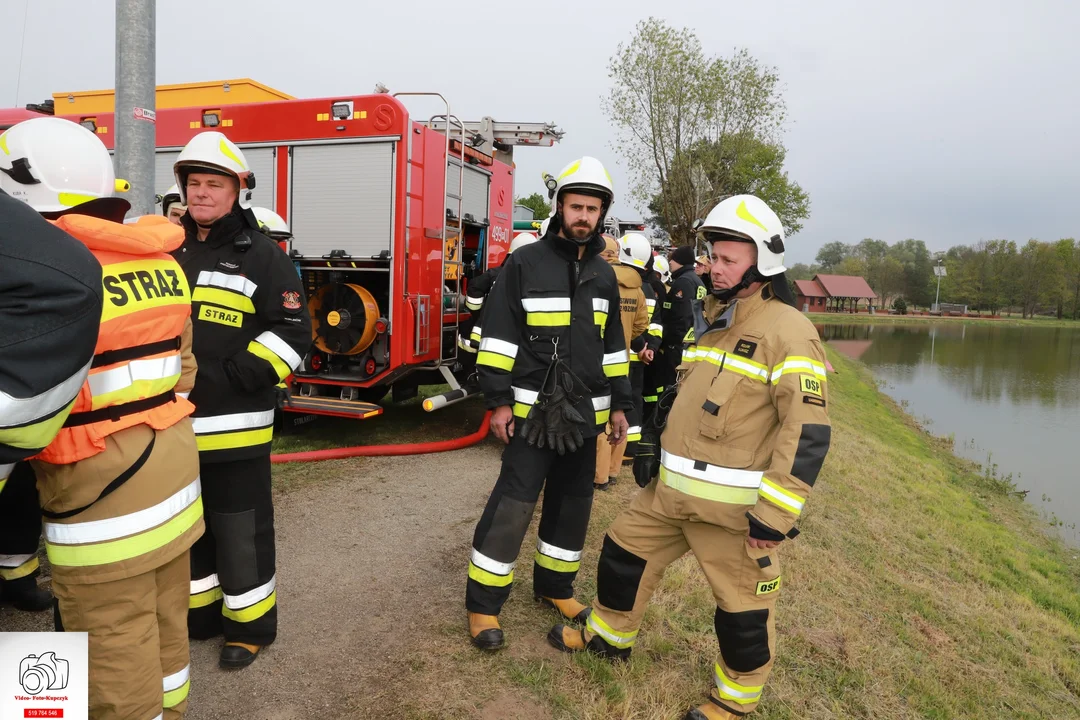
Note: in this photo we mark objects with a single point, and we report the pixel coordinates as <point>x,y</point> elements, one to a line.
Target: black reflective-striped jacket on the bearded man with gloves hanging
<point>546,295</point>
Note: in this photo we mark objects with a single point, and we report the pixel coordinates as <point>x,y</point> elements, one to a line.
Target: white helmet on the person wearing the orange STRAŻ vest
<point>55,165</point>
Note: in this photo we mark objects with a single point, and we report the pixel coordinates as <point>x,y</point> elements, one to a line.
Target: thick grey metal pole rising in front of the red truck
<point>136,104</point>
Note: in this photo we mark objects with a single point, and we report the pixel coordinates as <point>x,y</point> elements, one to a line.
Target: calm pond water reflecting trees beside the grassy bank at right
<point>1009,396</point>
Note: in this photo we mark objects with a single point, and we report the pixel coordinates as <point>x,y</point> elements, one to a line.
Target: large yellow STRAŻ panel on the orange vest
<point>126,292</point>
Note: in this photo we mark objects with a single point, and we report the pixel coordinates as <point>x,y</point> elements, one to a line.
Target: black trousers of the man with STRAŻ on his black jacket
<point>234,586</point>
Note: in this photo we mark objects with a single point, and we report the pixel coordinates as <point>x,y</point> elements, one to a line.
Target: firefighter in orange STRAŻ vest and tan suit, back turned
<point>119,485</point>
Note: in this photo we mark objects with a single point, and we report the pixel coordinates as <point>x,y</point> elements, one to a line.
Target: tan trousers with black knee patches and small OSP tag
<point>746,582</point>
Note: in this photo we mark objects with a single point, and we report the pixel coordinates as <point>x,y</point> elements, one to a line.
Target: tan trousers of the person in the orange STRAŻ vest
<point>133,624</point>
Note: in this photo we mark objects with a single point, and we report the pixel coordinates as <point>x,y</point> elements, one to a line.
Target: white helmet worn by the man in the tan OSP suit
<point>748,219</point>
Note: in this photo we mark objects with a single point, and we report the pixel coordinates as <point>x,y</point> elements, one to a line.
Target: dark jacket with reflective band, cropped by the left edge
<point>50,311</point>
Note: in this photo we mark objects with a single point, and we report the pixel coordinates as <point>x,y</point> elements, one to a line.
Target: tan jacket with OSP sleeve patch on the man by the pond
<point>749,430</point>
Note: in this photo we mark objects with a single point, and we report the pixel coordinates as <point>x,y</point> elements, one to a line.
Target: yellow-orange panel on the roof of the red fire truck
<point>210,94</point>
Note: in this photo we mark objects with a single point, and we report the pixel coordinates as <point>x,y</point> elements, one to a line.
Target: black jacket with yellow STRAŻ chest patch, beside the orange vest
<point>252,330</point>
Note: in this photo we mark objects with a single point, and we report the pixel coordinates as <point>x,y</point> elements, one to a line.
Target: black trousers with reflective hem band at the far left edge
<point>20,528</point>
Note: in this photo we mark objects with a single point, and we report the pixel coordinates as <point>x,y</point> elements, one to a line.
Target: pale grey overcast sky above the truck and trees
<point>948,121</point>
